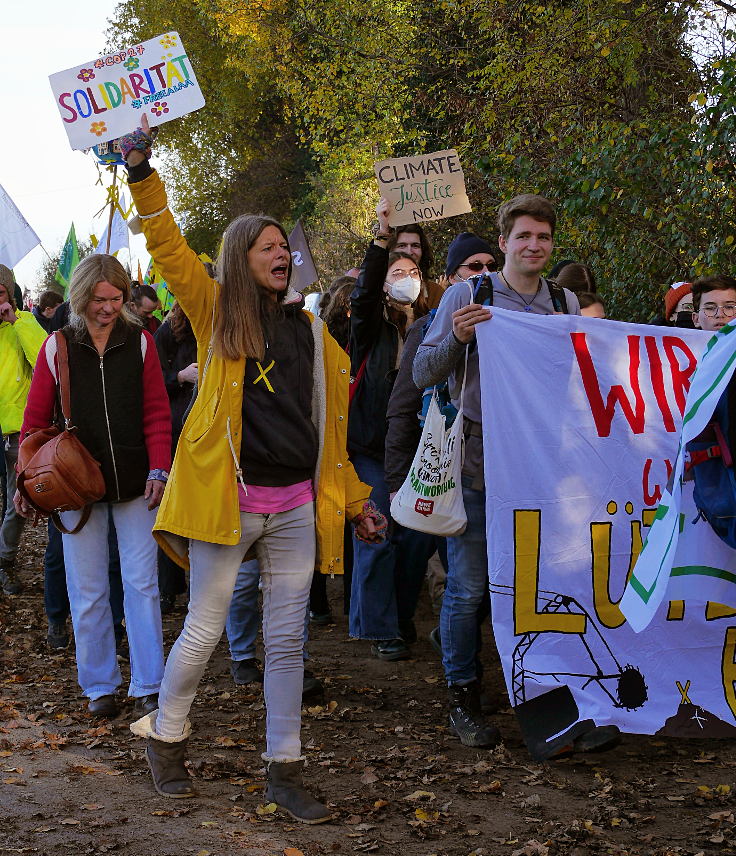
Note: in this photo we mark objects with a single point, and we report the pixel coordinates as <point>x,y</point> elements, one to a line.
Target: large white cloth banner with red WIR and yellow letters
<point>581,424</point>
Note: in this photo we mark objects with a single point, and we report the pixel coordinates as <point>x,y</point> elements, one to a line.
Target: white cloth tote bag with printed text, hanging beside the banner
<point>431,498</point>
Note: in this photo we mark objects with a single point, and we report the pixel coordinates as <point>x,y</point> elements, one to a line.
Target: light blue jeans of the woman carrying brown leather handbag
<point>86,557</point>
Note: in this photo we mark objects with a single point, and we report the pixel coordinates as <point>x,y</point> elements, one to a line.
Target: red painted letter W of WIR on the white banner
<point>603,413</point>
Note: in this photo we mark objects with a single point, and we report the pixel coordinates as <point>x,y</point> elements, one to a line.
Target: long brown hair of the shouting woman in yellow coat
<point>243,306</point>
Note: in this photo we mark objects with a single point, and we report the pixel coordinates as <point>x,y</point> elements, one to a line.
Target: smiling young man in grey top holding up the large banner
<point>526,225</point>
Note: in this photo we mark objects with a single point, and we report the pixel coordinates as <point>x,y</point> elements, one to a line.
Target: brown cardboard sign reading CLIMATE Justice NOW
<point>423,187</point>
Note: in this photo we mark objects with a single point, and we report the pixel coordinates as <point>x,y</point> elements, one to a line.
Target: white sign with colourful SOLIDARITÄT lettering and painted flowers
<point>104,98</point>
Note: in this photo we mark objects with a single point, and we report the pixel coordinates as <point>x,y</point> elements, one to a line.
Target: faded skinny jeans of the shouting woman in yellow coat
<point>285,548</point>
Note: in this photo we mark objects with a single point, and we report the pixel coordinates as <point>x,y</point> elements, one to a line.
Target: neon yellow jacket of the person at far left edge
<point>19,347</point>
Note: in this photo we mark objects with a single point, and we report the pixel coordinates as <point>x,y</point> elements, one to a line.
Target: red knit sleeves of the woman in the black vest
<point>39,412</point>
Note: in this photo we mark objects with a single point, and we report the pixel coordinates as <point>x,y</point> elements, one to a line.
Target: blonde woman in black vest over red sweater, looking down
<point>120,410</point>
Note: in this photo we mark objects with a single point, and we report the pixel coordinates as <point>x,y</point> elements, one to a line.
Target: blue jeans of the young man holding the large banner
<point>467,583</point>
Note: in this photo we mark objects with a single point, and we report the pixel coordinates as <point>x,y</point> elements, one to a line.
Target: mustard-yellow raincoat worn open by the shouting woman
<point>201,497</point>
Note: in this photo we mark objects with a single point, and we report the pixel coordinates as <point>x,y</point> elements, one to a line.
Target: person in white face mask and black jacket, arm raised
<point>387,299</point>
